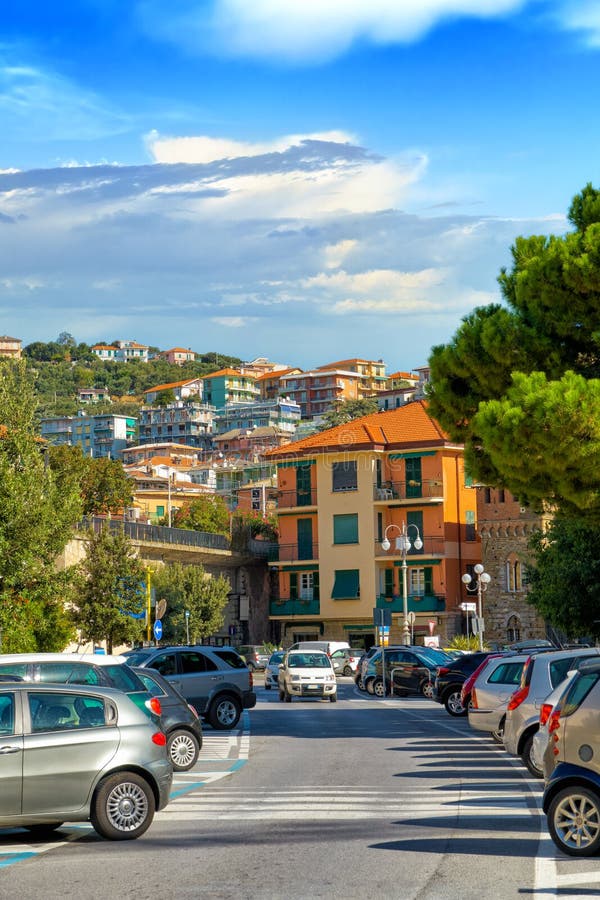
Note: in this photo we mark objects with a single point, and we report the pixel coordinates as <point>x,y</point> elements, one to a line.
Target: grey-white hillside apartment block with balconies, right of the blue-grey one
<point>185,422</point>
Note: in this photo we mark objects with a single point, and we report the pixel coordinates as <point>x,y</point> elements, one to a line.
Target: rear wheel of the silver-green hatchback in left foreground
<point>123,807</point>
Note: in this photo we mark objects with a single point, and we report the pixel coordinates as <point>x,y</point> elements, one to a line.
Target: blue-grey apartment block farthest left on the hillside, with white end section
<point>100,435</point>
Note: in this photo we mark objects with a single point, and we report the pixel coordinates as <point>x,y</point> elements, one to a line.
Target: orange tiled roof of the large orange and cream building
<point>410,424</point>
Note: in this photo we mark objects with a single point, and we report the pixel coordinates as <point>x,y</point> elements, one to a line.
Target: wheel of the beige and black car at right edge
<point>574,821</point>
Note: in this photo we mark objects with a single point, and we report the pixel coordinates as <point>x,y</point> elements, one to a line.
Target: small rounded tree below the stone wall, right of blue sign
<point>191,588</point>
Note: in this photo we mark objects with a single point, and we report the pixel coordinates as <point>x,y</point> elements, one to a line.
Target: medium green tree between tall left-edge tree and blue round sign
<point>111,590</point>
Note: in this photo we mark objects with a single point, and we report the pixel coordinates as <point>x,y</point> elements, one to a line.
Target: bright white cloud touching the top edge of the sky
<point>304,31</point>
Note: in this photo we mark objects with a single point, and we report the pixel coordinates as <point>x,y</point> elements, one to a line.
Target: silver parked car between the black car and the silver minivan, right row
<point>492,691</point>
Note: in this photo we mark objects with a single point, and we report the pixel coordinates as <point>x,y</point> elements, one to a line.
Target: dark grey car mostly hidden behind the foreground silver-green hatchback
<point>179,720</point>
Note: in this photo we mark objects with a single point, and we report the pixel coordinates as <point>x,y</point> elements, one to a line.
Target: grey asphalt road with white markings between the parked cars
<point>365,798</point>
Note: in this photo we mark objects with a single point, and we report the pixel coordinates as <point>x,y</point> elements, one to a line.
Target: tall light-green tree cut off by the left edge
<point>38,509</point>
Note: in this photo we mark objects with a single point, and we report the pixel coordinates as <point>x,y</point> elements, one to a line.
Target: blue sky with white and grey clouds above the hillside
<point>308,180</point>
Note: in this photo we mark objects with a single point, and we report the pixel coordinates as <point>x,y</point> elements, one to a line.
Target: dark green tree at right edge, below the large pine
<point>565,581</point>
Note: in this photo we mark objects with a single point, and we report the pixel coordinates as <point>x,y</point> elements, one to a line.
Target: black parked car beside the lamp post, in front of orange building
<point>411,669</point>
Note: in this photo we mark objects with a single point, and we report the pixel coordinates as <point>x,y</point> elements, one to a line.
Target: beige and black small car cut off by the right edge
<point>572,795</point>
